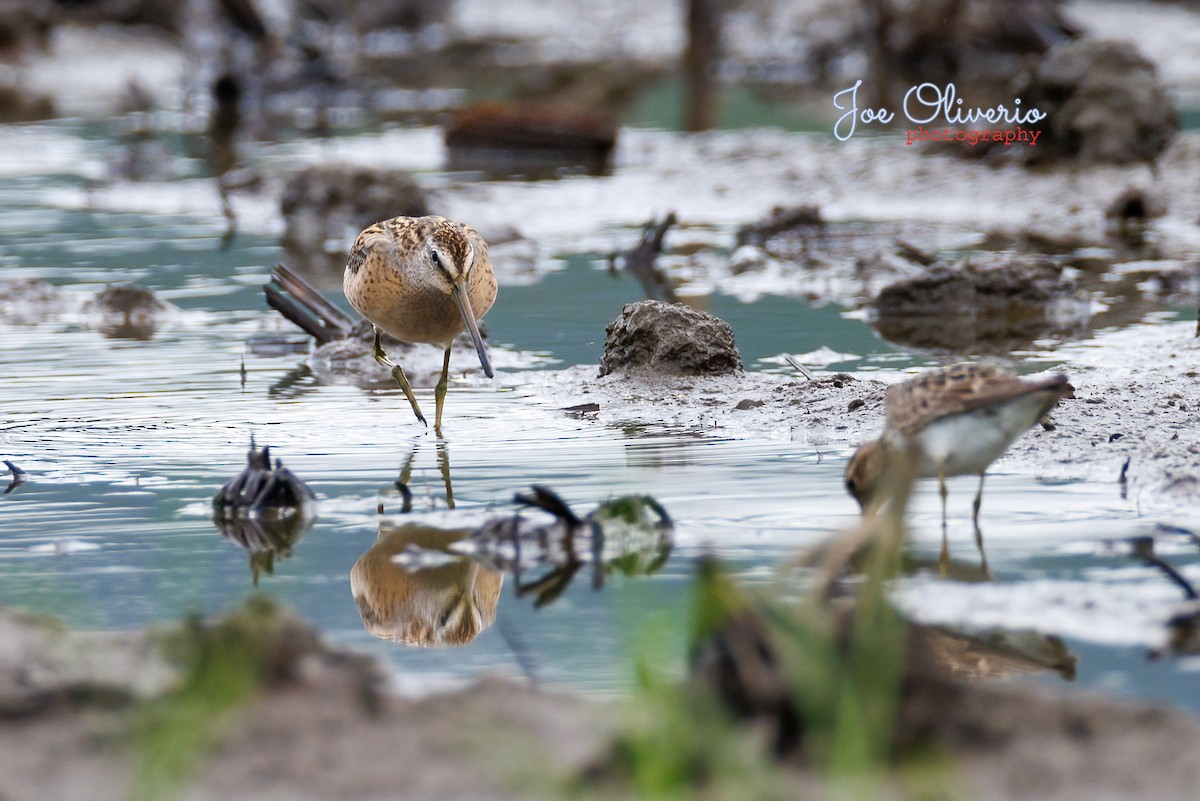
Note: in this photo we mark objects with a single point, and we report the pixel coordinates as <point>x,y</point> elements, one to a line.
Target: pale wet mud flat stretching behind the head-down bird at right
<point>1136,399</point>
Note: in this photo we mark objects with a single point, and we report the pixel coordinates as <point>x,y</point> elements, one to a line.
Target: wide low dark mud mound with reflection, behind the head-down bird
<point>986,303</point>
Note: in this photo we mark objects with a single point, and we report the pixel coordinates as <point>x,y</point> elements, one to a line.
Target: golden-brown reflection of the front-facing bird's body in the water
<point>442,605</point>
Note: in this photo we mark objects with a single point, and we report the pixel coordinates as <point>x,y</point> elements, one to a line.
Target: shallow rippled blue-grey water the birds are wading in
<point>127,442</point>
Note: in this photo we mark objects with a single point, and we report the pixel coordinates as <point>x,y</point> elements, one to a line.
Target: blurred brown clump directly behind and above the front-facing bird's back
<point>325,208</point>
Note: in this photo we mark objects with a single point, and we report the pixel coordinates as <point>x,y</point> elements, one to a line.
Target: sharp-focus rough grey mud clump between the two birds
<point>669,340</point>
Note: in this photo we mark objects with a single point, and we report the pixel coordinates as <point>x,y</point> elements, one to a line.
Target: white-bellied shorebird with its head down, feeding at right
<point>952,421</point>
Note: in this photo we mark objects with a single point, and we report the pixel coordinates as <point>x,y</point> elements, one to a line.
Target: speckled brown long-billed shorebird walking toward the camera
<point>422,280</point>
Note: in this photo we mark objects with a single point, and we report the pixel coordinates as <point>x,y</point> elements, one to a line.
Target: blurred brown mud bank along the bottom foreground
<point>319,727</point>
